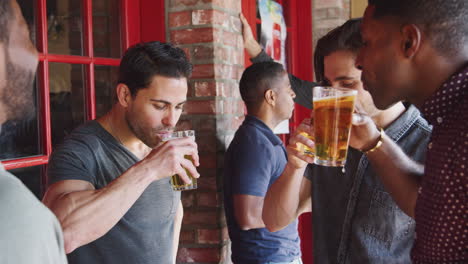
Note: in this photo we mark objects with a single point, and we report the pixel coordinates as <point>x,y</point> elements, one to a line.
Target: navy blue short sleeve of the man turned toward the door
<point>253,167</point>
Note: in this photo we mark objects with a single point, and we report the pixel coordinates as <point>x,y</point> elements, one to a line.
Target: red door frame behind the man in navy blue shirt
<point>298,16</point>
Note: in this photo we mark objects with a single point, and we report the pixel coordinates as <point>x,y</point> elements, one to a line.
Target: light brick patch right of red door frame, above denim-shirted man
<point>328,14</point>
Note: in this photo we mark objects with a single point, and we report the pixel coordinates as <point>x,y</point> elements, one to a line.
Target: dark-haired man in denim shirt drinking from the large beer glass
<point>355,219</point>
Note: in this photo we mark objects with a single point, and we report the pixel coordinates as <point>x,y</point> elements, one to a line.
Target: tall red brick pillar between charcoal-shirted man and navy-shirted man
<point>210,32</point>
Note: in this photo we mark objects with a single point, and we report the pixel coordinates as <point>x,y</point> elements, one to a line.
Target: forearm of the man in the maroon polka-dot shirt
<point>399,174</point>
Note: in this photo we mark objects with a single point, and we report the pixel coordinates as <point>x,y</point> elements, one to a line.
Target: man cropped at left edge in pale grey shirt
<point>29,232</point>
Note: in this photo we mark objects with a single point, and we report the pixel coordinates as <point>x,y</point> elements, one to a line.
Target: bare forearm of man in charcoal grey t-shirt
<point>87,215</point>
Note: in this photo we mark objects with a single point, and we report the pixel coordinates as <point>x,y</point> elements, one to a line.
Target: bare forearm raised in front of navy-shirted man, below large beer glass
<point>283,198</point>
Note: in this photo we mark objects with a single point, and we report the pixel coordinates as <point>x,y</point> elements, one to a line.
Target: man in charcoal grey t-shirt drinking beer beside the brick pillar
<point>109,180</point>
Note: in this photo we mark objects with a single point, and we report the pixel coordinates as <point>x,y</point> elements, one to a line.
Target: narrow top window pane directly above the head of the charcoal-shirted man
<point>106,28</point>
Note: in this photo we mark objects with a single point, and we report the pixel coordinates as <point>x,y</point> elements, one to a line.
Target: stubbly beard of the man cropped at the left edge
<point>18,93</point>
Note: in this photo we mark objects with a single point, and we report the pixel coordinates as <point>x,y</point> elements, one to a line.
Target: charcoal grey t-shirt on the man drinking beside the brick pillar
<point>145,233</point>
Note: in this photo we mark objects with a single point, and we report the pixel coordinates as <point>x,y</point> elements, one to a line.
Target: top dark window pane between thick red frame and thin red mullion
<point>65,27</point>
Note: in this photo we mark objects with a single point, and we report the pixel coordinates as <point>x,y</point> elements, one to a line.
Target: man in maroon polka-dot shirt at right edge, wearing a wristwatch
<point>417,51</point>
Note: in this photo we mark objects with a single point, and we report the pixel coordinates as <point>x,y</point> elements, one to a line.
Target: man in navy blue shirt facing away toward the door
<point>253,161</point>
